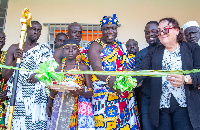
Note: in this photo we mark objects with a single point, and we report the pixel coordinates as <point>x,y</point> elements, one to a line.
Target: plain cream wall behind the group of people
<point>132,14</point>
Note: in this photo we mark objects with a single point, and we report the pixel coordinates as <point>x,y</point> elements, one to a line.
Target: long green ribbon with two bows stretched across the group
<point>46,72</point>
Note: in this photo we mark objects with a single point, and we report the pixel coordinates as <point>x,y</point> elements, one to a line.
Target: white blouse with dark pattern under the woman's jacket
<point>172,61</point>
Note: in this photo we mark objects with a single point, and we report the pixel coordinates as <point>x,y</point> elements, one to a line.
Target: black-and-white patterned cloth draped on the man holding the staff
<point>31,98</point>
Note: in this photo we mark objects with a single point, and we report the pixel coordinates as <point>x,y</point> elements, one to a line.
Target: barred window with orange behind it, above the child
<point>90,32</point>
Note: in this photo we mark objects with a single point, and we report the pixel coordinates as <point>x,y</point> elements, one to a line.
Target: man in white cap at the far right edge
<point>191,31</point>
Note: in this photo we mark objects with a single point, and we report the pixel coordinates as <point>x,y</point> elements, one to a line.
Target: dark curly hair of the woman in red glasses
<point>174,22</point>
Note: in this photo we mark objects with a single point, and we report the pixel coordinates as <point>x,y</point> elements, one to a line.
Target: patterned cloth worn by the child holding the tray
<point>72,112</point>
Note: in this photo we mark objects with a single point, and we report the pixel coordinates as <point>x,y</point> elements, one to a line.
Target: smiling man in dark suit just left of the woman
<point>144,91</point>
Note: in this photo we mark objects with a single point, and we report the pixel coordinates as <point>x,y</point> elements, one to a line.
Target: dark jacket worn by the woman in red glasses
<point>190,56</point>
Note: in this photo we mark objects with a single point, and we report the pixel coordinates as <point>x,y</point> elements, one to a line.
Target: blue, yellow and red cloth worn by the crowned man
<point>112,111</point>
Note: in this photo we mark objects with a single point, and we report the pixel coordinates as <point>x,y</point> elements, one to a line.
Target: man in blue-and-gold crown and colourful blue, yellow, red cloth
<point>111,111</point>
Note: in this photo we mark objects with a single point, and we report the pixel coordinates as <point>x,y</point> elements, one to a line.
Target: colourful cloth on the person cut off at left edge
<point>3,107</point>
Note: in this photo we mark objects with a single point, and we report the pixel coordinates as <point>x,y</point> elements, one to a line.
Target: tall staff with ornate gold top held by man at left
<point>26,22</point>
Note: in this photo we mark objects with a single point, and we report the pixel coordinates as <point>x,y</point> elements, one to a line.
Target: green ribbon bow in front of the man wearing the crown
<point>125,83</point>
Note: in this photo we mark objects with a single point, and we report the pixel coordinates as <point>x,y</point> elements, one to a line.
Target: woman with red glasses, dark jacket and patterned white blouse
<point>175,99</point>
